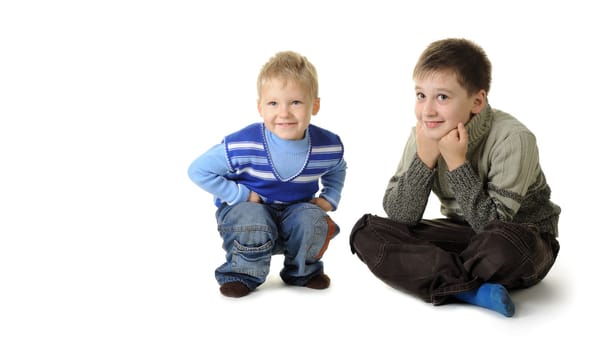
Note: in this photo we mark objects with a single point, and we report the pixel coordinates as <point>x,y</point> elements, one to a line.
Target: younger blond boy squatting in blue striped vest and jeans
<point>265,178</point>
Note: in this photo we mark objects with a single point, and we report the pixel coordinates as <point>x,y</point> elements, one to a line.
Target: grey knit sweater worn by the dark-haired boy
<point>501,179</point>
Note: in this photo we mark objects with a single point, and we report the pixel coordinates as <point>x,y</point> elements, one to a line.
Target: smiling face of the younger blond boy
<point>286,108</point>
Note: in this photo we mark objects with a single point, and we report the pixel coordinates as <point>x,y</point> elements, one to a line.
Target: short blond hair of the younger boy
<point>290,67</point>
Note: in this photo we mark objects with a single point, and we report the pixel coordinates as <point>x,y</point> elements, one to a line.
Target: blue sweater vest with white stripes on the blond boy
<point>250,164</point>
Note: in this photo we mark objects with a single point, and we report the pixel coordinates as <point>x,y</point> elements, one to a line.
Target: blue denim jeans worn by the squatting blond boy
<point>253,232</point>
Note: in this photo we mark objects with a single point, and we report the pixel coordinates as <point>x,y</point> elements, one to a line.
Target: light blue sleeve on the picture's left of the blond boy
<point>209,172</point>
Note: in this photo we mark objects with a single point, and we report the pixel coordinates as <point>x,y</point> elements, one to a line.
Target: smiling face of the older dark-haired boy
<point>442,103</point>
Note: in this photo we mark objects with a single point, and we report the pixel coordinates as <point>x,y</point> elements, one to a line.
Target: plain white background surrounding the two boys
<point>106,244</point>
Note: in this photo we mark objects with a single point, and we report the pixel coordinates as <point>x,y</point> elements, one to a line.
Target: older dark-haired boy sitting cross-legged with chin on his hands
<point>500,228</point>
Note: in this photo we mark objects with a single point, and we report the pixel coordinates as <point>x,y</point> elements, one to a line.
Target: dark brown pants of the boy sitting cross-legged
<point>439,258</point>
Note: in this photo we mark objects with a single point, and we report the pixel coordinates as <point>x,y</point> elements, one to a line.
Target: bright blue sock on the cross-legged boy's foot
<point>491,296</point>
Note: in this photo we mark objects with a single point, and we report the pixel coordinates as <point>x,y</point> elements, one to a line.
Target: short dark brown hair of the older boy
<point>461,56</point>
